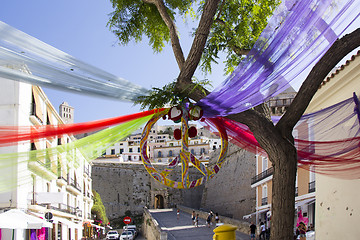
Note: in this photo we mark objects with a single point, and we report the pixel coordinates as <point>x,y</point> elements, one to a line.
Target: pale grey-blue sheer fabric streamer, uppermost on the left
<point>33,61</point>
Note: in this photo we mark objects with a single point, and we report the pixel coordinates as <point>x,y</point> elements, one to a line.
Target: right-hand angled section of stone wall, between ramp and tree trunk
<point>229,192</point>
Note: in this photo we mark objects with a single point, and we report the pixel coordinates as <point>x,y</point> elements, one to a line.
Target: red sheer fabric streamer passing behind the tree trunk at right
<point>339,158</point>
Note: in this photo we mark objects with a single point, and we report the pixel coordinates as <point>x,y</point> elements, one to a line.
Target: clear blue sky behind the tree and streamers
<point>79,29</point>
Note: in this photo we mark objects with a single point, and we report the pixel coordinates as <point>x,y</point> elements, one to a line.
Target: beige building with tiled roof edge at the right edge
<point>337,200</point>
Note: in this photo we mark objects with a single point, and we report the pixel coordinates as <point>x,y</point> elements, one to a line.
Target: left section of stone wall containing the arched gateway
<point>128,186</point>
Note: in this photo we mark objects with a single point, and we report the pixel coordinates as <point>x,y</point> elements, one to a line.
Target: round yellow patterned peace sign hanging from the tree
<point>185,158</point>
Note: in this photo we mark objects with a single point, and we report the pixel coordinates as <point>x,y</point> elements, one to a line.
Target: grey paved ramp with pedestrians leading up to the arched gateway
<point>183,228</point>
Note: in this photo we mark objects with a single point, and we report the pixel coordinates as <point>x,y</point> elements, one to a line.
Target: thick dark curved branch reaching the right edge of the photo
<point>332,57</point>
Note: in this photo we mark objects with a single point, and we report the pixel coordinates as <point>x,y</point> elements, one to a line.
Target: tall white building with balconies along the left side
<point>51,183</point>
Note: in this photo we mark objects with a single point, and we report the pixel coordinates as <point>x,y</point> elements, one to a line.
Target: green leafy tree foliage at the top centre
<point>237,25</point>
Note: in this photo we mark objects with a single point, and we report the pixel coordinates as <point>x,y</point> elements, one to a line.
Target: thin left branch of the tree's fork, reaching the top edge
<point>175,43</point>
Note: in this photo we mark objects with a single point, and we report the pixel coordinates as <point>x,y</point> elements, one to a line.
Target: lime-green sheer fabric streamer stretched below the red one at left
<point>52,163</point>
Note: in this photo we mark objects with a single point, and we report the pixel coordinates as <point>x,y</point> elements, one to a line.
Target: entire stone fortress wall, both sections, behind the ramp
<point>128,186</point>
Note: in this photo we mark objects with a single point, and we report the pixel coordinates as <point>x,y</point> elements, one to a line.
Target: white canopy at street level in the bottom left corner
<point>18,219</point>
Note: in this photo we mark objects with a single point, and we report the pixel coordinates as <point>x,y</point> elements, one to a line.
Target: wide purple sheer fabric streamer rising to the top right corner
<point>297,36</point>
